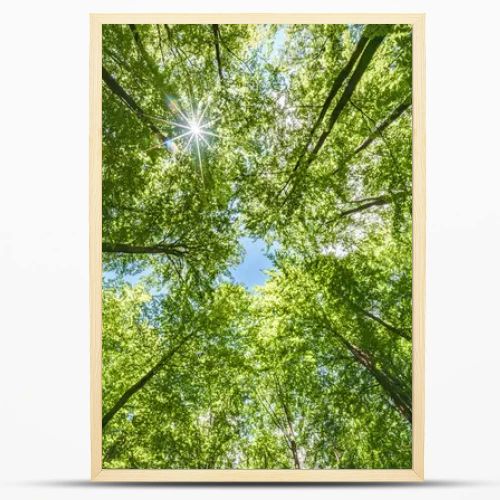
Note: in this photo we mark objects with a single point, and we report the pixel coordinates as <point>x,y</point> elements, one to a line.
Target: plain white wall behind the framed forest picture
<point>44,361</point>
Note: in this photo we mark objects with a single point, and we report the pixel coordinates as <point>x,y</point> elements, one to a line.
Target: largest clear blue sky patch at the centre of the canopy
<point>250,271</point>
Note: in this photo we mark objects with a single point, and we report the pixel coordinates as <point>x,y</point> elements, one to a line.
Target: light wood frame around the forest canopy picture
<point>191,475</point>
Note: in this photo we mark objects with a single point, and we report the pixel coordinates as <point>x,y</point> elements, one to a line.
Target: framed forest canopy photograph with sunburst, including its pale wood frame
<point>257,247</point>
